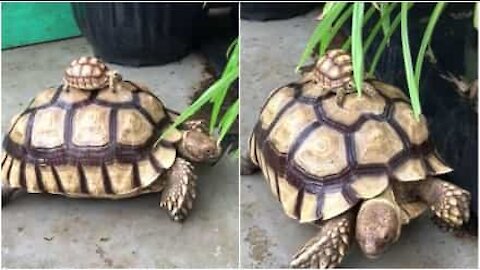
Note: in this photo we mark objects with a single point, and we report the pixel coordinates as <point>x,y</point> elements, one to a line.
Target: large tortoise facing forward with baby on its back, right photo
<point>358,167</point>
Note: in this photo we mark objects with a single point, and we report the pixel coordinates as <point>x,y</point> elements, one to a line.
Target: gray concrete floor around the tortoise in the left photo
<point>46,231</point>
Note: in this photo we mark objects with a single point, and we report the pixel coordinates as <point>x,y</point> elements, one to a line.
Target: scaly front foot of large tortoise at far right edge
<point>452,206</point>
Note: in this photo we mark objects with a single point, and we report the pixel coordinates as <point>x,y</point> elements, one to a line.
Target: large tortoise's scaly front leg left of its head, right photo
<point>329,246</point>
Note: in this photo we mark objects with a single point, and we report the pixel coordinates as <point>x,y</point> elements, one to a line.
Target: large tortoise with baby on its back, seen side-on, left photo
<point>96,136</point>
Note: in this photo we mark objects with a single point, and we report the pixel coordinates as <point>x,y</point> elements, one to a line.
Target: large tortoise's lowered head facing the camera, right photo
<point>378,226</point>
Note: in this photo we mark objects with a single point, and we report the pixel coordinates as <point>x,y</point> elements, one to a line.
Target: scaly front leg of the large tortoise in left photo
<point>177,197</point>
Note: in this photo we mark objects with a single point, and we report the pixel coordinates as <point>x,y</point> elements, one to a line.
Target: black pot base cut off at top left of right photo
<point>275,11</point>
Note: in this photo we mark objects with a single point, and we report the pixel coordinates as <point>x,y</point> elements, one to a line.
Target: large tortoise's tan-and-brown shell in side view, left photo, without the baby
<point>89,143</point>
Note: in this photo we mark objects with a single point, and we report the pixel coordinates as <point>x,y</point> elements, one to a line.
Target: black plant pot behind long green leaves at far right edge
<point>452,119</point>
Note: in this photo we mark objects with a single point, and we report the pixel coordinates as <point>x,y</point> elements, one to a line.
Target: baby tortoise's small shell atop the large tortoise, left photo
<point>86,73</point>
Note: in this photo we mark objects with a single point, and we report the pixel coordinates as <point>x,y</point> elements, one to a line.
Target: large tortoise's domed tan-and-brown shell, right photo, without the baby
<point>321,159</point>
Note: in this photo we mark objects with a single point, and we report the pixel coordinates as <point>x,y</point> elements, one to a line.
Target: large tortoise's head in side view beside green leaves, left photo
<point>197,144</point>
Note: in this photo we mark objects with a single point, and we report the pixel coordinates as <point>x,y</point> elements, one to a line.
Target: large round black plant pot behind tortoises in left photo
<point>139,33</point>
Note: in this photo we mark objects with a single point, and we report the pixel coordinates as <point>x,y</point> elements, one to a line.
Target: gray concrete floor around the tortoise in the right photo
<point>270,51</point>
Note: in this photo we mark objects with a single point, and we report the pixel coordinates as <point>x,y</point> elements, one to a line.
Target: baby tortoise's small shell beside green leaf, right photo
<point>334,69</point>
